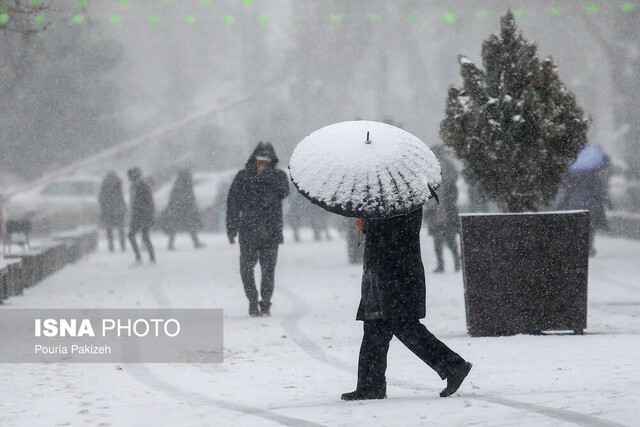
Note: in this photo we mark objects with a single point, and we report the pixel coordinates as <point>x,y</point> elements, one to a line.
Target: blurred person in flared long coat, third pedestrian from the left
<point>182,212</point>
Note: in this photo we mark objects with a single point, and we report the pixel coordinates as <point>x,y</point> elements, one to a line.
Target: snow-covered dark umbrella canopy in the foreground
<point>365,169</point>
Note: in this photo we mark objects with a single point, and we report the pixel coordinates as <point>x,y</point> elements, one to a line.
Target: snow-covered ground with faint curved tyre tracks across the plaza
<point>292,367</point>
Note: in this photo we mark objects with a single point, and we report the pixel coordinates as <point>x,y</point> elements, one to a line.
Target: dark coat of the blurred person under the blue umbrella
<point>586,190</point>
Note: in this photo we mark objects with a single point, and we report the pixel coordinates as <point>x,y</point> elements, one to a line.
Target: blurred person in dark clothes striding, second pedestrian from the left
<point>142,213</point>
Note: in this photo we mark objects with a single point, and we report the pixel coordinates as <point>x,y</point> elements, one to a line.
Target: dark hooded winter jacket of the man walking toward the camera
<point>254,203</point>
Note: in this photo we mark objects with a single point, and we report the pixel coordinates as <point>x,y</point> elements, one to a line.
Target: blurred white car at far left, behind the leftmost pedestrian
<point>59,204</point>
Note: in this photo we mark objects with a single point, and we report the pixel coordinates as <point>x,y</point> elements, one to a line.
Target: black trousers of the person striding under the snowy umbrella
<point>372,363</point>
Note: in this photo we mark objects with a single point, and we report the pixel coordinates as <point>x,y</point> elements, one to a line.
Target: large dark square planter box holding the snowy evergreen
<point>525,273</point>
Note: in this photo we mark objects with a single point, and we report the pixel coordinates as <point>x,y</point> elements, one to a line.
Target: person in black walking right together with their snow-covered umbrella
<point>385,179</point>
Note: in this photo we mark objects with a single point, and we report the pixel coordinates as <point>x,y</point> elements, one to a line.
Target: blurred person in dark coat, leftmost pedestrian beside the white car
<point>112,208</point>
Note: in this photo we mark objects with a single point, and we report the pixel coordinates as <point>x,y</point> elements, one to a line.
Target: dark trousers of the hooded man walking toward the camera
<point>250,253</point>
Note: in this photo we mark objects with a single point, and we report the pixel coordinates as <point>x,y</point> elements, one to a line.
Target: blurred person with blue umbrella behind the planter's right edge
<point>585,186</point>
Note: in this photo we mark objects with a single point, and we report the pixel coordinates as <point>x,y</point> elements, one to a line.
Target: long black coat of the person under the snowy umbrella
<point>393,283</point>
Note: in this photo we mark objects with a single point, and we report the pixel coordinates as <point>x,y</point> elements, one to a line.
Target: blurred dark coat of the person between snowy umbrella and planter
<point>442,218</point>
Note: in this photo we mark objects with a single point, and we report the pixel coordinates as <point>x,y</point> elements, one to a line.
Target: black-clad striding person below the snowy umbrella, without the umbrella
<point>393,300</point>
